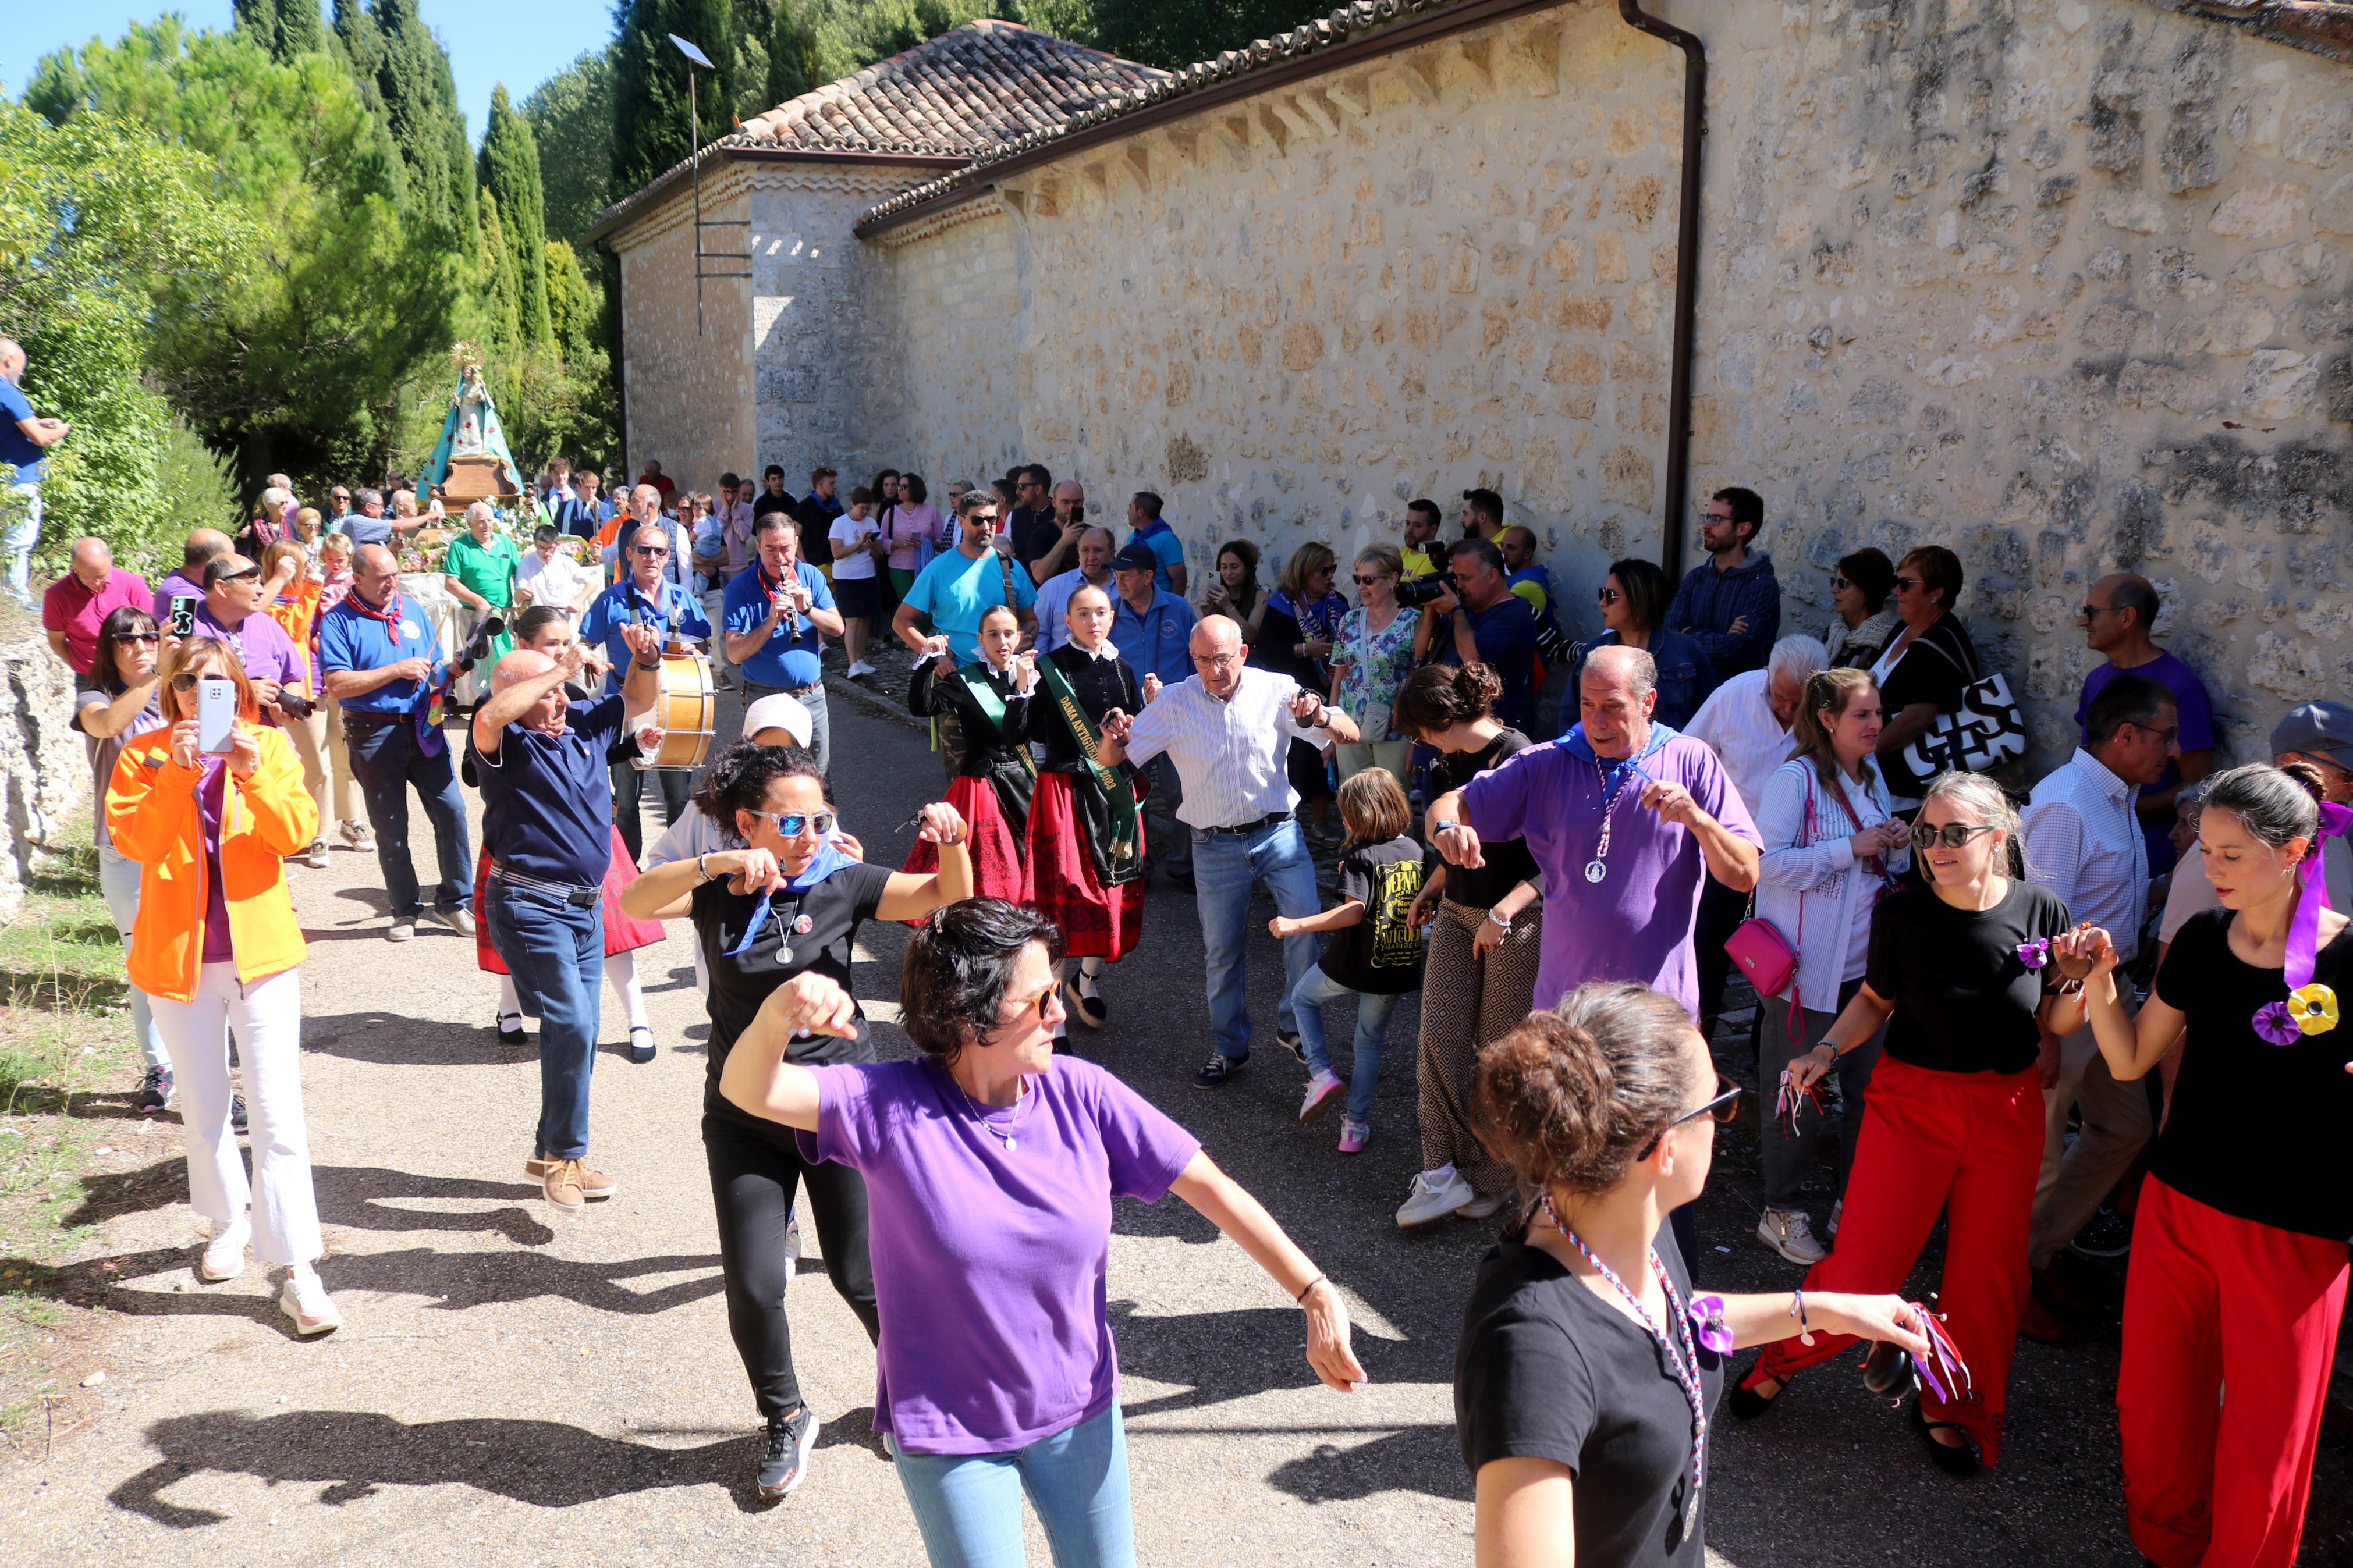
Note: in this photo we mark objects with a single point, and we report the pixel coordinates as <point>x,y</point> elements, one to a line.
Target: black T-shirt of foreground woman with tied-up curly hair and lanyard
<point>1552,1372</point>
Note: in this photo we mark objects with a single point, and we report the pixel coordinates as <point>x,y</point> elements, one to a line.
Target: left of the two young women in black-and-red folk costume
<point>994,777</point>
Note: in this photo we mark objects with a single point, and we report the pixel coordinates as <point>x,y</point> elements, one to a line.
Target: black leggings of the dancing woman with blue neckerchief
<point>754,1172</point>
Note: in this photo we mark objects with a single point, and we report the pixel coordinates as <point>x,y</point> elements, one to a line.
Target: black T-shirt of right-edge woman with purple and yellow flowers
<point>2255,1127</point>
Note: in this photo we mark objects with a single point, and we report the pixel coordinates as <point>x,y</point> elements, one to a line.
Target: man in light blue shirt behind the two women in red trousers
<point>2084,843</point>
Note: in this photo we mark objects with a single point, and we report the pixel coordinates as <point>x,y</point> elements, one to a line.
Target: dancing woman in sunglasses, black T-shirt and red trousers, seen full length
<point>1966,981</point>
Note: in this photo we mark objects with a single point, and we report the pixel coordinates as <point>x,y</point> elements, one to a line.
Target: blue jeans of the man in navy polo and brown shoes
<point>556,953</point>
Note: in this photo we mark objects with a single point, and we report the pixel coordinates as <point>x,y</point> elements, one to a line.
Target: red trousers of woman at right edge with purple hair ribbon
<point>2229,1332</point>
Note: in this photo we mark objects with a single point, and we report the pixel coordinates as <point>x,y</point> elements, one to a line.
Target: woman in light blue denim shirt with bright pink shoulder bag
<point>1832,852</point>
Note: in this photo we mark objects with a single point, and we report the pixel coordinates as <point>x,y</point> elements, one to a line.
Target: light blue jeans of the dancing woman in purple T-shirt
<point>968,1506</point>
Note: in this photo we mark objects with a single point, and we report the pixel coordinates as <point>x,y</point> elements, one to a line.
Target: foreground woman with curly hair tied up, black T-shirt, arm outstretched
<point>1587,1369</point>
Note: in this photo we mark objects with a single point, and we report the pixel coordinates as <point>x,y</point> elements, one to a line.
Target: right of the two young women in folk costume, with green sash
<point>1086,826</point>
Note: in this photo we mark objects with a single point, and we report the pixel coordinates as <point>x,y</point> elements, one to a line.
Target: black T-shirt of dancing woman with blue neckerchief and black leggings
<point>804,932</point>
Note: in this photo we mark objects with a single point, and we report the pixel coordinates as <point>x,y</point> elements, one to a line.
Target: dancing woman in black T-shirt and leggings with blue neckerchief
<point>778,909</point>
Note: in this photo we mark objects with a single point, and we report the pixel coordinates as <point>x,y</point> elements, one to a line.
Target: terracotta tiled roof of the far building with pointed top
<point>973,88</point>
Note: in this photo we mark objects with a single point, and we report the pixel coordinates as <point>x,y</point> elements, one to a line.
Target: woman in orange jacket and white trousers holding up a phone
<point>218,946</point>
